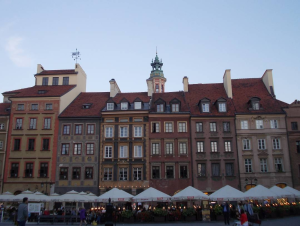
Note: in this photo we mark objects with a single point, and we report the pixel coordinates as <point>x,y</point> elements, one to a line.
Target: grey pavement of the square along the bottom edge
<point>287,221</point>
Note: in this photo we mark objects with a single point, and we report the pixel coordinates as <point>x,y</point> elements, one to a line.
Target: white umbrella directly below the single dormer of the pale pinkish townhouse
<point>260,192</point>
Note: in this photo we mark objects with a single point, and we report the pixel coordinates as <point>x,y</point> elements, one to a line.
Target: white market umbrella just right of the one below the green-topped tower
<point>190,193</point>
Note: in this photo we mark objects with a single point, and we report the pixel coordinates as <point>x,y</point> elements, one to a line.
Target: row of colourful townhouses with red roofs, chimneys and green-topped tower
<point>56,137</point>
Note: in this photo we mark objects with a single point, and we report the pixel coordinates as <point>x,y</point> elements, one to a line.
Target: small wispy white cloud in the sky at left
<point>16,53</point>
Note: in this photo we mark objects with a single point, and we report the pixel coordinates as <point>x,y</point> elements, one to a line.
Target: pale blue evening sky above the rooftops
<point>117,39</point>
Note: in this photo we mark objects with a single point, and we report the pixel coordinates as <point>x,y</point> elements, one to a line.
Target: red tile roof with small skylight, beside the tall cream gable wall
<point>98,101</point>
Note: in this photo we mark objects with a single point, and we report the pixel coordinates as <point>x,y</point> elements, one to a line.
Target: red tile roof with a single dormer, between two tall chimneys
<point>244,89</point>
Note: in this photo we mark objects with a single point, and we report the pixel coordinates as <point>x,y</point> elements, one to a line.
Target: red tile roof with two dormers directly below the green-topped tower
<point>167,97</point>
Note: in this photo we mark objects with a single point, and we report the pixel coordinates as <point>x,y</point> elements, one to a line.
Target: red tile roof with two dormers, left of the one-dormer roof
<point>212,92</point>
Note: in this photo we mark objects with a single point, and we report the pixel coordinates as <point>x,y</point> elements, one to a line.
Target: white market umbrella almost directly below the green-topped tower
<point>151,194</point>
